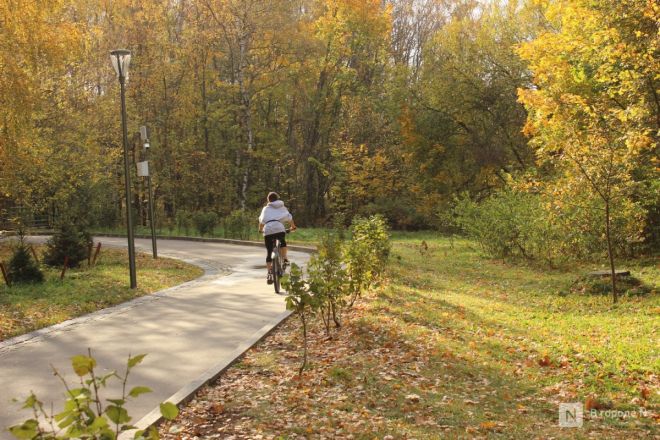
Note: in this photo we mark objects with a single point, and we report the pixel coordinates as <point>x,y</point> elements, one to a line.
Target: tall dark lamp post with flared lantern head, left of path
<point>121,59</point>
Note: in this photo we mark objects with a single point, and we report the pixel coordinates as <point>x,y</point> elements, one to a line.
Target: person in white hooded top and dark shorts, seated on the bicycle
<point>271,223</point>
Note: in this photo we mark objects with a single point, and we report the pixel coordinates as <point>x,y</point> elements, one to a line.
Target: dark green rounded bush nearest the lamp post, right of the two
<point>69,241</point>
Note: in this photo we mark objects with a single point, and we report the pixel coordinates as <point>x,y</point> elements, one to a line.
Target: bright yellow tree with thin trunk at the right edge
<point>593,112</point>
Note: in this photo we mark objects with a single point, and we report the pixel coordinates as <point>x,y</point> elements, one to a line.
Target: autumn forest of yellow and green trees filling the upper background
<point>532,125</point>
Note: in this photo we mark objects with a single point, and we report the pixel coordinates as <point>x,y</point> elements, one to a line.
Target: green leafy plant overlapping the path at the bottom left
<point>84,414</point>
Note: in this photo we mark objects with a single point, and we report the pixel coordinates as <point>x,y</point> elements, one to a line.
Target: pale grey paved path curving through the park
<point>185,330</point>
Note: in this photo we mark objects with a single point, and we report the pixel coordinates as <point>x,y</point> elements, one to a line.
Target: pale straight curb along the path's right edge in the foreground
<point>188,391</point>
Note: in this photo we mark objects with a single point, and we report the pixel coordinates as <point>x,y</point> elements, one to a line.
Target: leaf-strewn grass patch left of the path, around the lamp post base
<point>24,308</point>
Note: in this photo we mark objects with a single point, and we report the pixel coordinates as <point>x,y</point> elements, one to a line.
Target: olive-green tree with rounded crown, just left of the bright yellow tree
<point>462,127</point>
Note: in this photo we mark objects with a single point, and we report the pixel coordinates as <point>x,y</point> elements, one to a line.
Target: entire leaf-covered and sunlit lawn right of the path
<point>453,346</point>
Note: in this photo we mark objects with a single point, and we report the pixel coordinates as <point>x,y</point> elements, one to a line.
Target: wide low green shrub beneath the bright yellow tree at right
<point>516,224</point>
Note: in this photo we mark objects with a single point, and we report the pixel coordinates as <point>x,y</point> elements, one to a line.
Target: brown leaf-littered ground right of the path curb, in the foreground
<point>369,381</point>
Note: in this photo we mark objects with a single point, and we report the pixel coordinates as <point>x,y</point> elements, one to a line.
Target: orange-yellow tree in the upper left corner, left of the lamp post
<point>46,100</point>
